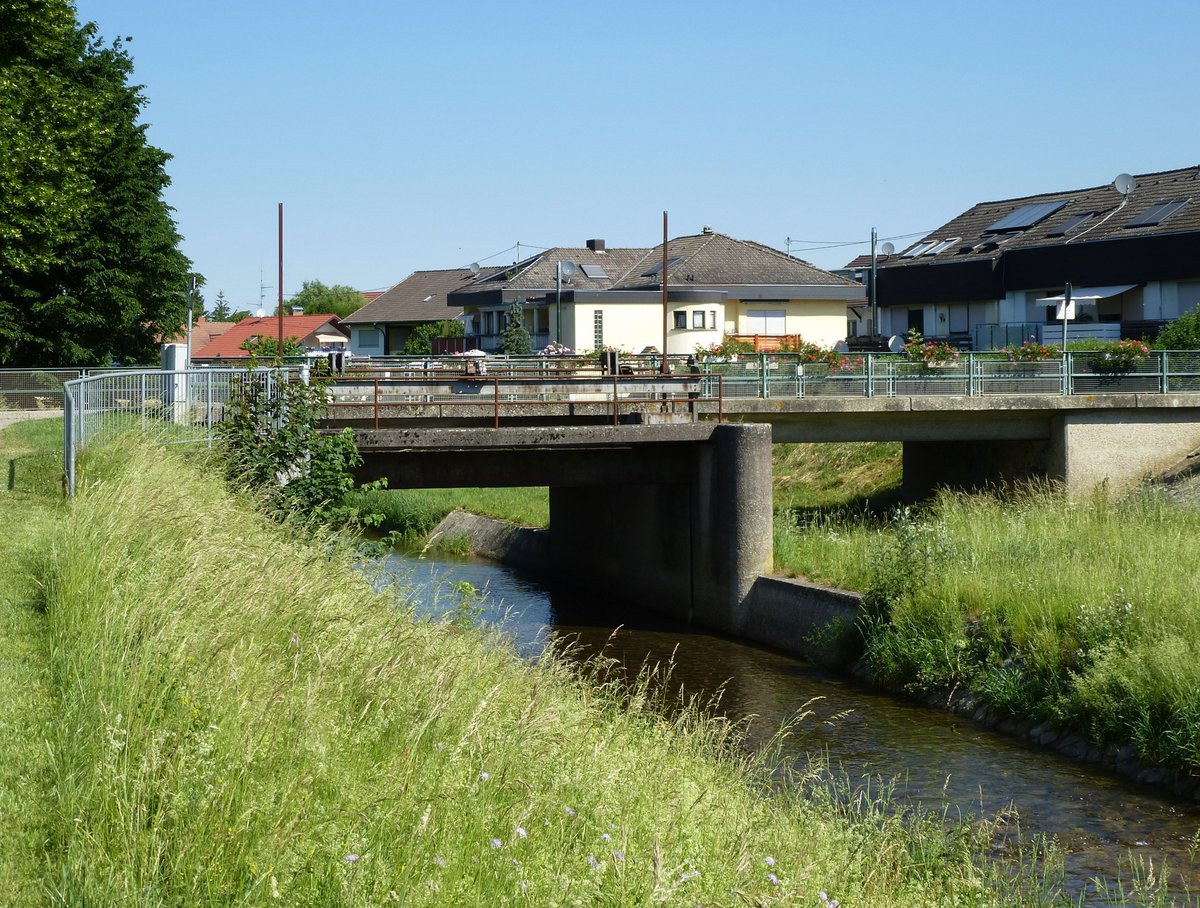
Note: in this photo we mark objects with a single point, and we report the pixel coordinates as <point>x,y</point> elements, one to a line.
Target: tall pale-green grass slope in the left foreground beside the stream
<point>235,717</point>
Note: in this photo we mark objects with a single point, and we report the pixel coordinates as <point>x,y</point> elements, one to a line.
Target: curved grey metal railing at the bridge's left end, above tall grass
<point>177,407</point>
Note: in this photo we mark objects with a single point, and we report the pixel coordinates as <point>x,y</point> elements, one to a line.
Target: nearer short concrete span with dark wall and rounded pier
<point>679,518</point>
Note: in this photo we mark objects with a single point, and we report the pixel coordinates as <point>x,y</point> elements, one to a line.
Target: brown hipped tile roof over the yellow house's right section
<point>715,260</point>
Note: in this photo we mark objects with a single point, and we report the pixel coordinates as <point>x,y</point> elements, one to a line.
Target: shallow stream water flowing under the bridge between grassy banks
<point>935,760</point>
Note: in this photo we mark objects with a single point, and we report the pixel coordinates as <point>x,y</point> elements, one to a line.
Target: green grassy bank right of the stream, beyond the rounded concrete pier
<point>1085,615</point>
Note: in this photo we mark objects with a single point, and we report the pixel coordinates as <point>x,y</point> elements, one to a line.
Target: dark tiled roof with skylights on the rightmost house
<point>1111,215</point>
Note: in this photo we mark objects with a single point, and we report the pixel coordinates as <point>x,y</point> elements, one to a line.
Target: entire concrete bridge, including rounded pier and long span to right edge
<point>663,495</point>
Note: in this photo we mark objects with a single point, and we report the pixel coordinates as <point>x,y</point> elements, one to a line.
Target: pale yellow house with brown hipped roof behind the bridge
<point>593,298</point>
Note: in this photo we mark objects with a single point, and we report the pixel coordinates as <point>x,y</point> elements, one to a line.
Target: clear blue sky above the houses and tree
<point>405,136</point>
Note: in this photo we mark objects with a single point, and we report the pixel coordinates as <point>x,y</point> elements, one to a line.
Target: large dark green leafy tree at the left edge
<point>91,267</point>
